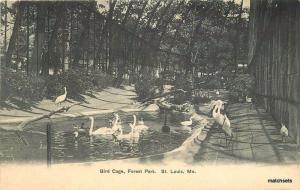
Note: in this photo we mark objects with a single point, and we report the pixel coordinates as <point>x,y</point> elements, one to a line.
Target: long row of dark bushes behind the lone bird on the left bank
<point>34,88</point>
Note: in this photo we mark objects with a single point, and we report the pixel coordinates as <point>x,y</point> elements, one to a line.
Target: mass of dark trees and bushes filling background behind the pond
<point>119,38</point>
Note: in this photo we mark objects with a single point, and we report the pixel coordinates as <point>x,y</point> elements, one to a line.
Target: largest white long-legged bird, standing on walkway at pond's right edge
<point>223,121</point>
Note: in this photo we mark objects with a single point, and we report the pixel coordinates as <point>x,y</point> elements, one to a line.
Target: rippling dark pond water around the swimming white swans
<point>30,146</point>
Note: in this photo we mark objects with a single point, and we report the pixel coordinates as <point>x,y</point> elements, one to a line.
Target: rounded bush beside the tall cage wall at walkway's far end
<point>240,86</point>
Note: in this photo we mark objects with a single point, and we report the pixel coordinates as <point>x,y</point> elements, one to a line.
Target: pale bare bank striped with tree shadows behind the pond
<point>108,100</point>
